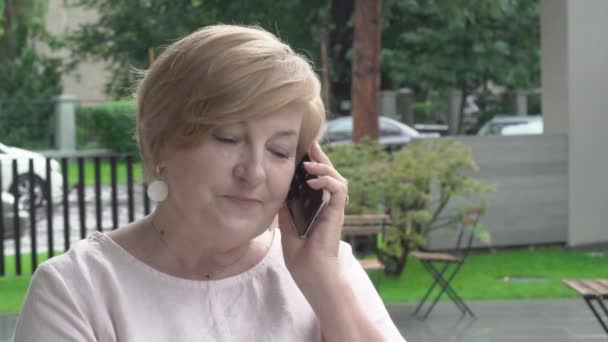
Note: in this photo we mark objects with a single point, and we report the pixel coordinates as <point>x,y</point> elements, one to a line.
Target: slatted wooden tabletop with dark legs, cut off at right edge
<point>592,291</point>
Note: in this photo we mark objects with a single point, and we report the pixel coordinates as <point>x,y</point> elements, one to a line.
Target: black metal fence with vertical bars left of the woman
<point>57,216</point>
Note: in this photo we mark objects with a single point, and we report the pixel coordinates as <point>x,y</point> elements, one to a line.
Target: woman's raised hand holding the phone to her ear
<point>318,254</point>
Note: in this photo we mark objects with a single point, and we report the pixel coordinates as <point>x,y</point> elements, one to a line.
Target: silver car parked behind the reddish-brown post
<point>393,134</point>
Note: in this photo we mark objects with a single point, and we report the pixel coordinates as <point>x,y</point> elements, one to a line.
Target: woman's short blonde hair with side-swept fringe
<point>218,75</point>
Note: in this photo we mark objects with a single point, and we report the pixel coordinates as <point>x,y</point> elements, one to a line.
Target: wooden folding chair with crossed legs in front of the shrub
<point>443,267</point>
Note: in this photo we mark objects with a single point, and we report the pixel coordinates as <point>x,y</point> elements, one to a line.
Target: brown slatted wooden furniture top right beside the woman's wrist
<point>357,228</point>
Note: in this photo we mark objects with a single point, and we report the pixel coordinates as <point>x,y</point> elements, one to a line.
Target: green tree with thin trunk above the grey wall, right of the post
<point>464,45</point>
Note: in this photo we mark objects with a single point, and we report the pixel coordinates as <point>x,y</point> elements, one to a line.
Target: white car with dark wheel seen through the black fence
<point>18,185</point>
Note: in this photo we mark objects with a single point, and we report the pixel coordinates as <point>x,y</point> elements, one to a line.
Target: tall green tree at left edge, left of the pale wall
<point>29,81</point>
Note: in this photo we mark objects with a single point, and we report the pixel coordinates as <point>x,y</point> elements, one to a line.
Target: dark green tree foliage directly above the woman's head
<point>128,31</point>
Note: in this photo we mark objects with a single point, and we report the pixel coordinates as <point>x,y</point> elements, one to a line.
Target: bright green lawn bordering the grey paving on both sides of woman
<point>482,277</point>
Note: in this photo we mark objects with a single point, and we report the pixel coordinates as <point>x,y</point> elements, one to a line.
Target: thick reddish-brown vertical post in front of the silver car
<point>366,69</point>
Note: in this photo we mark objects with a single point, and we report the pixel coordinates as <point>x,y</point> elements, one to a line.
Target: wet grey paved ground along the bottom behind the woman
<point>554,320</point>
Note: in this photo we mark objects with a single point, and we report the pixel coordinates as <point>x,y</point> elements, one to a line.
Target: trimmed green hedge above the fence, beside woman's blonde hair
<point>110,125</point>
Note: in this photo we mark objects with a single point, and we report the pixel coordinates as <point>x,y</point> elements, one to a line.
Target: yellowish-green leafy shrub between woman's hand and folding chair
<point>426,186</point>
